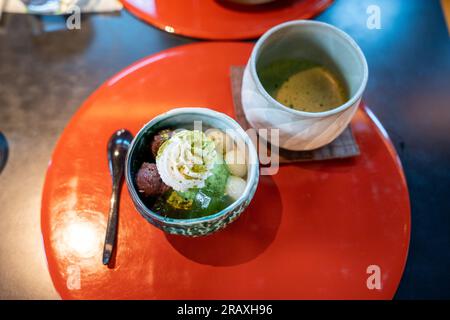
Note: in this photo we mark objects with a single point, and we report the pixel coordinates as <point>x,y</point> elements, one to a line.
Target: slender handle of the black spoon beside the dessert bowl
<point>111,228</point>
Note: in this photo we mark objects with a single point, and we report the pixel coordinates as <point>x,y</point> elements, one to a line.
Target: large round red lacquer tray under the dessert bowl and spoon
<point>310,232</point>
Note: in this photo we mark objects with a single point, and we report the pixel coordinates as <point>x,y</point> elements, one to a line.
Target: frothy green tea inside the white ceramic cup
<point>303,85</point>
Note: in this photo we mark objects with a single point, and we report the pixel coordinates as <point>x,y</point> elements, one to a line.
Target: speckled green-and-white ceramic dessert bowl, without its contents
<point>179,118</point>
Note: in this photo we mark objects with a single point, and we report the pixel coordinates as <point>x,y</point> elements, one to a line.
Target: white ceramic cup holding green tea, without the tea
<point>318,42</point>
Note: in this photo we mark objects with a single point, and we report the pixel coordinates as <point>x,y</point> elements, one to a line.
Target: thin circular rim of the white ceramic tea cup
<point>339,33</point>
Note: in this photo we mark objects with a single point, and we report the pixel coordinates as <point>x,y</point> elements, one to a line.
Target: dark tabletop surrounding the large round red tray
<point>45,78</point>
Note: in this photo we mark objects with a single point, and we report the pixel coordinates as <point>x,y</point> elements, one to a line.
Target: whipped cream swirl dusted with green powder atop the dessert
<point>186,160</point>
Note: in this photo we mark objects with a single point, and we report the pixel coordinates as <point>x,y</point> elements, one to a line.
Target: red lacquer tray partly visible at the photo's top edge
<point>217,19</point>
